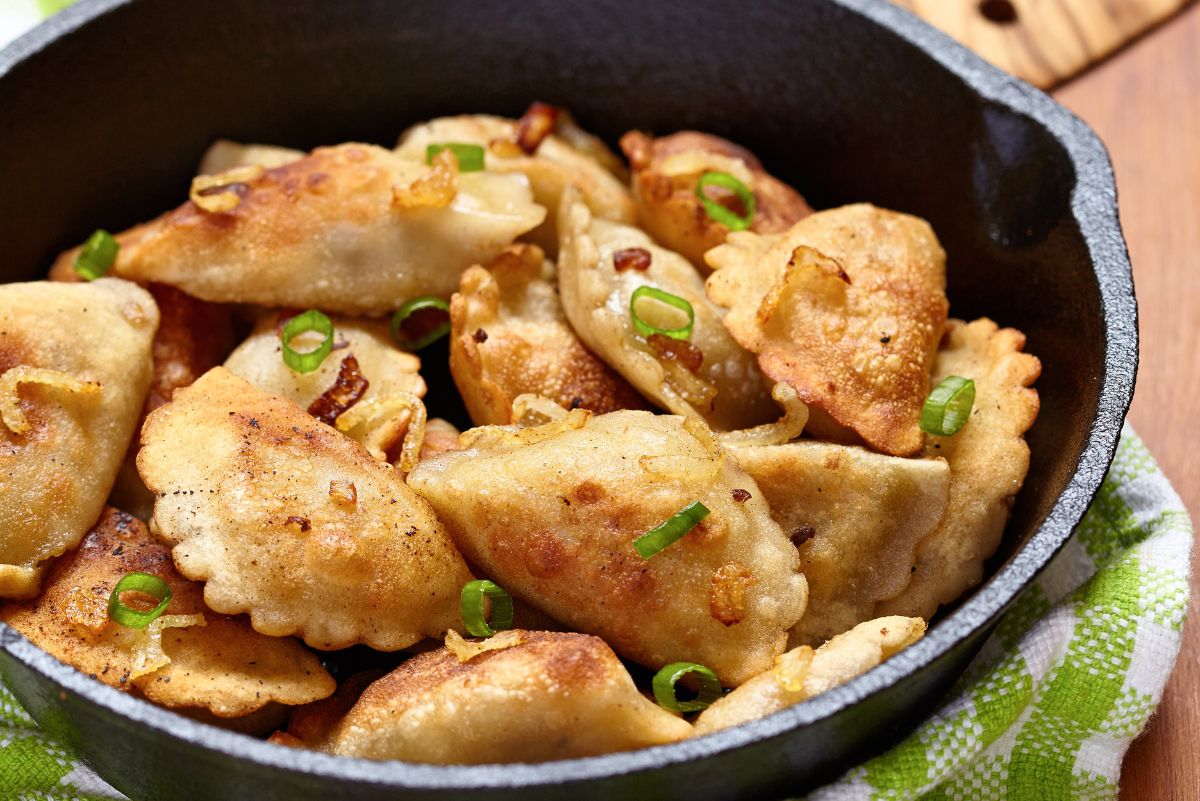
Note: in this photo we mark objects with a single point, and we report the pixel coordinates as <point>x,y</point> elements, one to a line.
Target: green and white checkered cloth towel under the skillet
<point>1046,713</point>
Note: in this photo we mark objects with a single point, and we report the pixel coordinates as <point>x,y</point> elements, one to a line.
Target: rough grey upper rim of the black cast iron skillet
<point>1094,206</point>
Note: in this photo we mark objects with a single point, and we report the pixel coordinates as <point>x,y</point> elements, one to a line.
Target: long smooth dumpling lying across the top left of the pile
<point>352,230</point>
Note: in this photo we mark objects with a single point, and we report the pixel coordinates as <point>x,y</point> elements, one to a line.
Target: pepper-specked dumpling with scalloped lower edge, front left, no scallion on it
<point>295,523</point>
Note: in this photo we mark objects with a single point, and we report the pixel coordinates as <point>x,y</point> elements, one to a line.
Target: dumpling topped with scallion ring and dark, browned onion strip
<point>379,417</point>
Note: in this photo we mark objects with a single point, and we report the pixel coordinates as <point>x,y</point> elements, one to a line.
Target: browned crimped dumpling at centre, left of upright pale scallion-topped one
<point>511,338</point>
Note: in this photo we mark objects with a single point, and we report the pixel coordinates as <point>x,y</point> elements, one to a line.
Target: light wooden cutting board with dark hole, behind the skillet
<point>1043,41</point>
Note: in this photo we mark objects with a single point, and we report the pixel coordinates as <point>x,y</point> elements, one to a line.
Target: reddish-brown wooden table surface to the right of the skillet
<point>1145,104</point>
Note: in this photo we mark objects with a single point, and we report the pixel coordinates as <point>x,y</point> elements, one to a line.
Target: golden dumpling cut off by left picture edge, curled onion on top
<point>75,370</point>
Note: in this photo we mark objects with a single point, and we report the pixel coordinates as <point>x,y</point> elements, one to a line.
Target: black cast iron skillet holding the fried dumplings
<point>105,111</point>
